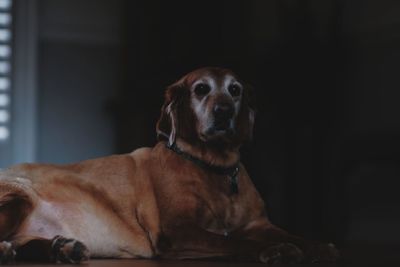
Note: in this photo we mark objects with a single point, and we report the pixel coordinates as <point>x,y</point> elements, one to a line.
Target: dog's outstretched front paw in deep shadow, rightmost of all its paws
<point>323,253</point>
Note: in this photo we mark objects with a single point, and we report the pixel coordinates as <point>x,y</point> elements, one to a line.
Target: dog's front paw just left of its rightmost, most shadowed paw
<point>281,253</point>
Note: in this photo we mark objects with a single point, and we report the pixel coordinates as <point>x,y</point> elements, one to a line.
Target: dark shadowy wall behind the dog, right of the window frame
<point>326,75</point>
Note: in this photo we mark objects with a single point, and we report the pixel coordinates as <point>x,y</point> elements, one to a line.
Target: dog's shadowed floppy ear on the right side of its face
<point>246,115</point>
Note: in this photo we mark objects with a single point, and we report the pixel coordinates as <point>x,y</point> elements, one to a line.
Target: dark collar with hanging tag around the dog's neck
<point>231,171</point>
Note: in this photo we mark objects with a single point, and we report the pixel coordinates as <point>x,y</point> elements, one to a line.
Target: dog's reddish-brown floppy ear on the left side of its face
<point>167,124</point>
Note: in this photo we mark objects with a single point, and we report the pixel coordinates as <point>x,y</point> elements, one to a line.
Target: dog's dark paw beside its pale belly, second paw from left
<point>69,250</point>
